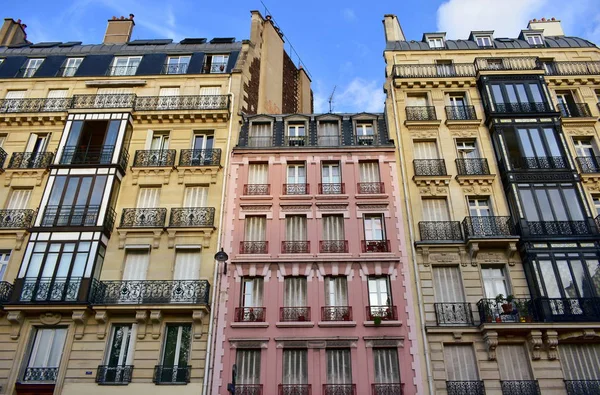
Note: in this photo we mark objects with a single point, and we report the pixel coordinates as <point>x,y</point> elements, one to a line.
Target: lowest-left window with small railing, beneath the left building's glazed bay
<point>45,354</point>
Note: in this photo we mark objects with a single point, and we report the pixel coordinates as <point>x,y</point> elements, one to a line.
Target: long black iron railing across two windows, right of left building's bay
<point>137,292</point>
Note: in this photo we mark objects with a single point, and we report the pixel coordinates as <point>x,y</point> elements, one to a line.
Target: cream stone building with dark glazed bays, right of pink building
<point>497,143</point>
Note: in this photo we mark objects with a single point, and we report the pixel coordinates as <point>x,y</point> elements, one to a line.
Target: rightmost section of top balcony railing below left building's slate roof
<point>196,102</point>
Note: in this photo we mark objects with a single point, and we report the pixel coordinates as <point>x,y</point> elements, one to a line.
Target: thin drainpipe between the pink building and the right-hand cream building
<point>412,245</point>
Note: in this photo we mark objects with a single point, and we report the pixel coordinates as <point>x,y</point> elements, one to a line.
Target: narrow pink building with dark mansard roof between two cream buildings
<point>317,296</point>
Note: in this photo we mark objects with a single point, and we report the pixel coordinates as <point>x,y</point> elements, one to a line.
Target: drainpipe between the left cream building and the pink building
<point>217,272</point>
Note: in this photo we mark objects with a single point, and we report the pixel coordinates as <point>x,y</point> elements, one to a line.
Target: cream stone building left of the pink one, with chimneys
<point>114,161</point>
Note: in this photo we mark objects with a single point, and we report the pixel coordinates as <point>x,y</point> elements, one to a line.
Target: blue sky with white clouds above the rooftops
<point>339,42</point>
